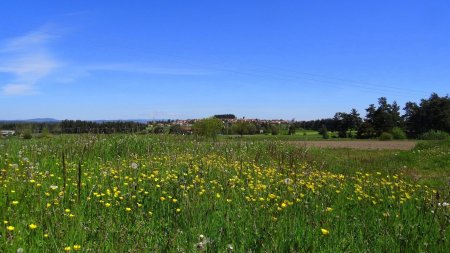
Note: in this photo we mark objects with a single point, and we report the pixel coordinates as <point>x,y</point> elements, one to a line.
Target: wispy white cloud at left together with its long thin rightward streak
<point>27,61</point>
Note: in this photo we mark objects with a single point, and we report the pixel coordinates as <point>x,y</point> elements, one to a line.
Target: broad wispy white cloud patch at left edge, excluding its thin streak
<point>26,60</point>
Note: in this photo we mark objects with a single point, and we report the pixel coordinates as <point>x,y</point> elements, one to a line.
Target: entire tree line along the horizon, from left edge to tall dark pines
<point>382,119</point>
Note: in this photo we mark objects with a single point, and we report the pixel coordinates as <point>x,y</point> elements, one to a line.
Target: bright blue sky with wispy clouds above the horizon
<point>192,59</point>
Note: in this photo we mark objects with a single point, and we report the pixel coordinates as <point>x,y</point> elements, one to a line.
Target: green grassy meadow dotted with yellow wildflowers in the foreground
<point>143,193</point>
